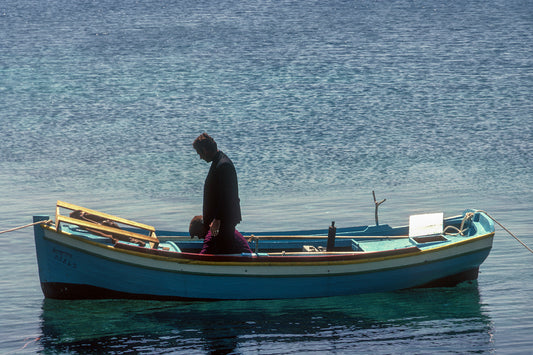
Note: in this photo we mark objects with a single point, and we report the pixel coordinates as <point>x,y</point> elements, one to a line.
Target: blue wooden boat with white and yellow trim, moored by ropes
<point>81,259</point>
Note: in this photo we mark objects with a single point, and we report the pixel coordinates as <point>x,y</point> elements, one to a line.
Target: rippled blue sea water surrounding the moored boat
<point>429,103</point>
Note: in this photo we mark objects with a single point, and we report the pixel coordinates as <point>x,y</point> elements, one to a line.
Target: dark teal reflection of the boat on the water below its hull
<point>422,319</point>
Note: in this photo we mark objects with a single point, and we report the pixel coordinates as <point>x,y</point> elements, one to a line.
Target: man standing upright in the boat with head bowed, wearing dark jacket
<point>221,209</point>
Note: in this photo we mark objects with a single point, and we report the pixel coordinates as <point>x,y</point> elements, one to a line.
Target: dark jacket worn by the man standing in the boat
<point>221,192</point>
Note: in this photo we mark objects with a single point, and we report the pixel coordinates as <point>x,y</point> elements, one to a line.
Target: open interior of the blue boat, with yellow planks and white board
<point>114,231</point>
